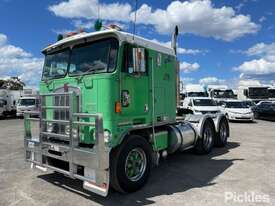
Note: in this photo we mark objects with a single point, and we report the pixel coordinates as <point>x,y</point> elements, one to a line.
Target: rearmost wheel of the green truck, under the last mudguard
<point>222,134</point>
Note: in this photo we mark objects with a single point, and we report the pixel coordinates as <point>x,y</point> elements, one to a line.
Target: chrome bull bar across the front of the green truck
<point>90,165</point>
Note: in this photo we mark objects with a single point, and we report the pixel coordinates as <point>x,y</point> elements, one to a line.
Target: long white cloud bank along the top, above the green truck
<point>198,17</point>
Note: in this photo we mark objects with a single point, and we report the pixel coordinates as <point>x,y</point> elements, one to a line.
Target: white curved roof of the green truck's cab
<point>122,36</point>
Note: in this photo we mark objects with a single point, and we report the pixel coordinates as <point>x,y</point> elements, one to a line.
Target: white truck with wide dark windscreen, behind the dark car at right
<point>255,93</point>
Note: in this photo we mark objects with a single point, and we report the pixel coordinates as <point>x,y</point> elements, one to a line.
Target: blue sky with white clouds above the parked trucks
<point>222,42</point>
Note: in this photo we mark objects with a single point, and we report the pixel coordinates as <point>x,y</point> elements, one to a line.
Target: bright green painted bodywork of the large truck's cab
<point>99,92</point>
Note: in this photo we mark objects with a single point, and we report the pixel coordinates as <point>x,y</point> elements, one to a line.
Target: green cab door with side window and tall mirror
<point>134,86</point>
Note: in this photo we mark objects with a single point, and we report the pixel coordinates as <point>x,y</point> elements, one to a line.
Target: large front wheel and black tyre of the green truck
<point>131,164</point>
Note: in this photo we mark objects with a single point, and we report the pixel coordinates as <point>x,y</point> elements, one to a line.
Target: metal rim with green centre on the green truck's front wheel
<point>135,164</point>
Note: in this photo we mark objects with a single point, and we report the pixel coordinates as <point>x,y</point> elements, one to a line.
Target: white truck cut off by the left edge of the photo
<point>8,101</point>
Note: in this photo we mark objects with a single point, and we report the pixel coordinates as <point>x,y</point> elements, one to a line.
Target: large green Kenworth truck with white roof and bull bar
<point>108,111</point>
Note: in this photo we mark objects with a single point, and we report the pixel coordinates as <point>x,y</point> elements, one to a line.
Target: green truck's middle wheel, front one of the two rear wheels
<point>205,143</point>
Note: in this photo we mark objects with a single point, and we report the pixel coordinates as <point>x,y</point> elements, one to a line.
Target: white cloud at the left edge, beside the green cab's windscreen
<point>15,61</point>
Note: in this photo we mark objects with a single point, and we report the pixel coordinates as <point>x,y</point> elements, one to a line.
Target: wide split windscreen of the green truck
<point>93,57</point>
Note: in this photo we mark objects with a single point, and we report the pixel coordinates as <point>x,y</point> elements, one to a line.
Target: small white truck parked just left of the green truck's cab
<point>28,102</point>
